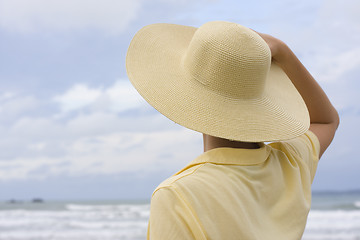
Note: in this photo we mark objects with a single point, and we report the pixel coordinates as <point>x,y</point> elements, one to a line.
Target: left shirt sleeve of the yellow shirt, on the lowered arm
<point>172,218</point>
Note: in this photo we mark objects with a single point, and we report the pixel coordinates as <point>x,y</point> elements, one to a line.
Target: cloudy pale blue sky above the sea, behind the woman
<point>73,127</point>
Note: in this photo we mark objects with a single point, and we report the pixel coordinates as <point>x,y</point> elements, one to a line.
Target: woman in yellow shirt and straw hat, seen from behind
<point>240,89</point>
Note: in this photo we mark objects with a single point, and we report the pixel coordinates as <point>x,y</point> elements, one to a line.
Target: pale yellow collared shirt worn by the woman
<point>229,193</point>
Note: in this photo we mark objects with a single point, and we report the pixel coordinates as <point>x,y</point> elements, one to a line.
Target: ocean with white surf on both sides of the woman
<point>333,216</point>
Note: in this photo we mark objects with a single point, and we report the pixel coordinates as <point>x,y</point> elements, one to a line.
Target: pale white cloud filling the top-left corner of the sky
<point>24,16</point>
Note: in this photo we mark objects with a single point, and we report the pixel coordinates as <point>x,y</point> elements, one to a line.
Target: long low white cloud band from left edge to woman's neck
<point>113,153</point>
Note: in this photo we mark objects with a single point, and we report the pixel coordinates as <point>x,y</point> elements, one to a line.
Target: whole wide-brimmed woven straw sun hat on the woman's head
<point>217,79</point>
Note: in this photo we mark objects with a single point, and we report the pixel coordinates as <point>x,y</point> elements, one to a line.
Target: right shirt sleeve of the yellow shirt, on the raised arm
<point>307,146</point>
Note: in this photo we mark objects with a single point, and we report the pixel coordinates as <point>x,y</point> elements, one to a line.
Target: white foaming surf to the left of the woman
<point>76,222</point>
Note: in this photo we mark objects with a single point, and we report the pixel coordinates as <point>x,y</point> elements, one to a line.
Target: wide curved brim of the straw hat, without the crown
<point>154,66</point>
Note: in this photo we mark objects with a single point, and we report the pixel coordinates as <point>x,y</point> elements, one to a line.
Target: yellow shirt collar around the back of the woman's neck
<point>232,156</point>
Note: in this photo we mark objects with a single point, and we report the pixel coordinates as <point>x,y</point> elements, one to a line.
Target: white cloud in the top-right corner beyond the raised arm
<point>335,36</point>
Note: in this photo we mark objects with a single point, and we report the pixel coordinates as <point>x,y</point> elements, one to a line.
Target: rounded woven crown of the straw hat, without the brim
<point>230,59</point>
